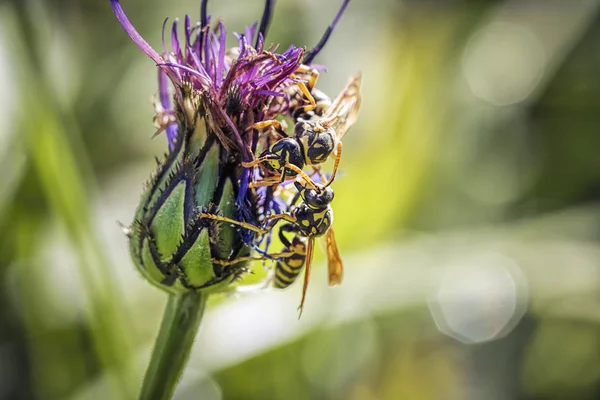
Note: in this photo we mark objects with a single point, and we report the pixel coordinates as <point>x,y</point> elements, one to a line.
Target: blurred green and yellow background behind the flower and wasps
<point>467,208</point>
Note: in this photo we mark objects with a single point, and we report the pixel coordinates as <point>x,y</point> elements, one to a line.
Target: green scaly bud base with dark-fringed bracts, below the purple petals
<point>171,245</point>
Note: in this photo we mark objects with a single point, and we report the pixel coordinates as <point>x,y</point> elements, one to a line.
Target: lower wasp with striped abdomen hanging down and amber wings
<point>310,219</point>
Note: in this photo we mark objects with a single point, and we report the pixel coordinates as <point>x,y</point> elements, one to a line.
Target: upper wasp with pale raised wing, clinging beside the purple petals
<point>315,138</point>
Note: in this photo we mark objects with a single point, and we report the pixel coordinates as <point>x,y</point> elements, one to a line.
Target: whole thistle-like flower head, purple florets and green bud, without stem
<point>209,100</point>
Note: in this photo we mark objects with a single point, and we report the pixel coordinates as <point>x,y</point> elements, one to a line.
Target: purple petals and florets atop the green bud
<point>231,86</point>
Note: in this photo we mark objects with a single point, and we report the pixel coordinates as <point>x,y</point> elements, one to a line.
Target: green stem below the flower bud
<point>180,323</point>
